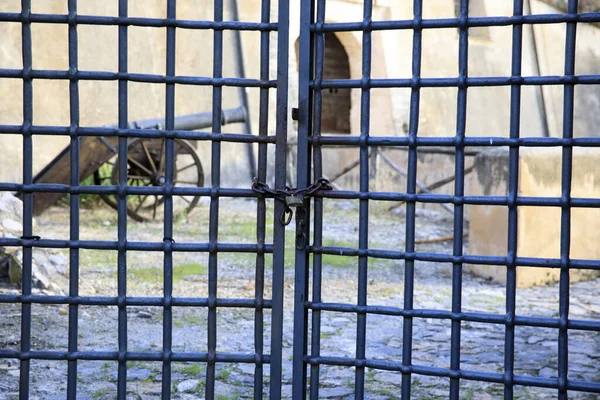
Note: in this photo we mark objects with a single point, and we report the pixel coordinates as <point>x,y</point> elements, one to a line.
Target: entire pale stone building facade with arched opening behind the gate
<point>489,55</point>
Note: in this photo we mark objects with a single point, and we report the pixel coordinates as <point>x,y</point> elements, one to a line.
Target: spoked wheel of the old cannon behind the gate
<point>146,167</point>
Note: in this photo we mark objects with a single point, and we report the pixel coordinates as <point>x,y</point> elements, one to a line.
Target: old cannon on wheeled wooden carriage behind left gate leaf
<point>145,166</point>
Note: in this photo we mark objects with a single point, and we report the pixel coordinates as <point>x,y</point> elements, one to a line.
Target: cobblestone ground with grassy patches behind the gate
<point>482,345</point>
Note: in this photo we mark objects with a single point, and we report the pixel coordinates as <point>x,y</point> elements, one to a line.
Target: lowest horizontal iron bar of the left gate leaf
<point>134,356</point>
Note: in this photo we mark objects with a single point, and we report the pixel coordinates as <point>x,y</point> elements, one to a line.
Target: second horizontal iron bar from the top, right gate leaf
<point>479,81</point>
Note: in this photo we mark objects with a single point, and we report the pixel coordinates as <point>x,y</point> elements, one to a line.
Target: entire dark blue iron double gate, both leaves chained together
<point>305,204</point>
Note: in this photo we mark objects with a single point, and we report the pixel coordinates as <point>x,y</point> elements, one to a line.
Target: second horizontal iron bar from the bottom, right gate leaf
<point>464,316</point>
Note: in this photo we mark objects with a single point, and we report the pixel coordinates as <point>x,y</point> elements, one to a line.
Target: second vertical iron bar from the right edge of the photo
<point>513,191</point>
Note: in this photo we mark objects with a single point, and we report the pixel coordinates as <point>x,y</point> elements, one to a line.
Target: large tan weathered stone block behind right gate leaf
<point>539,228</point>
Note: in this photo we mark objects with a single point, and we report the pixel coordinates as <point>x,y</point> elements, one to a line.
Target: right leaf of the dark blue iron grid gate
<point>311,87</point>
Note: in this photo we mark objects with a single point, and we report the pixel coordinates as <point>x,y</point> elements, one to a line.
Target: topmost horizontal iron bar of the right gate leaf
<point>470,22</point>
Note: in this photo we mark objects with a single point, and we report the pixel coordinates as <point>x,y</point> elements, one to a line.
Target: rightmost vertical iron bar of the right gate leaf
<point>565,217</point>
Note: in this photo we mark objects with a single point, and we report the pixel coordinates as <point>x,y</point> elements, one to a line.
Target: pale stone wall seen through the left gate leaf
<point>98,51</point>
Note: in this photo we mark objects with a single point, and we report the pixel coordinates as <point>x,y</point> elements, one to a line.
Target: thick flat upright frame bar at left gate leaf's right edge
<point>280,174</point>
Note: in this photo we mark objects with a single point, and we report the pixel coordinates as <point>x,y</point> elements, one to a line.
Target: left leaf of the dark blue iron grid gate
<point>165,245</point>
